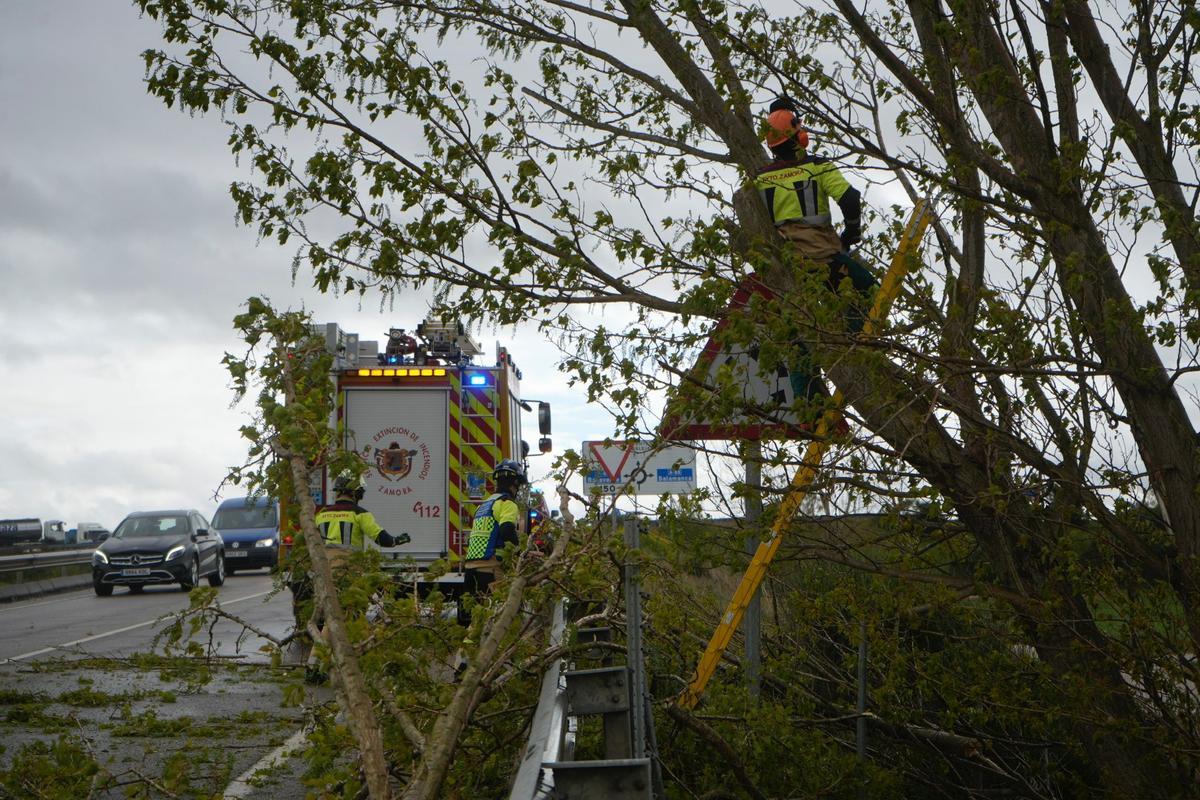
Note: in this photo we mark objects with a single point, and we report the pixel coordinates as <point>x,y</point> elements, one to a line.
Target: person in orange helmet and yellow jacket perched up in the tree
<point>797,189</point>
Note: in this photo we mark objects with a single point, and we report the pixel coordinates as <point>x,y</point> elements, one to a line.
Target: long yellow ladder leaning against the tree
<point>910,240</point>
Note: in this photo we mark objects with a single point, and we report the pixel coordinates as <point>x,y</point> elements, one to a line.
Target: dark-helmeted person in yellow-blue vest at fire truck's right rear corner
<point>495,526</point>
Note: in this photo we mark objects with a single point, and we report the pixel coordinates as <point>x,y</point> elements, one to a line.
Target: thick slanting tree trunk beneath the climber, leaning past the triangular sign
<point>899,410</point>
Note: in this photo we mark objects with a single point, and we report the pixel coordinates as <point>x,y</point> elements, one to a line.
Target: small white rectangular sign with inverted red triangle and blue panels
<point>611,466</point>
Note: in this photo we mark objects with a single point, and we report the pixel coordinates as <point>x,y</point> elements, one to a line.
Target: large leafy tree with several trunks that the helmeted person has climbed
<point>524,159</point>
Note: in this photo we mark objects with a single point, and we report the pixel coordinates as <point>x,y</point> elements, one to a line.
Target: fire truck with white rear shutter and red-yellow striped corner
<point>431,424</point>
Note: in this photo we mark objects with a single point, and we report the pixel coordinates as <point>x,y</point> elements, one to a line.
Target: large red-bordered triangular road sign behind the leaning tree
<point>767,392</point>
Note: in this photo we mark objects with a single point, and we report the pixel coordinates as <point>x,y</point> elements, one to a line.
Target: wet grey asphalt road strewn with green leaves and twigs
<point>87,670</point>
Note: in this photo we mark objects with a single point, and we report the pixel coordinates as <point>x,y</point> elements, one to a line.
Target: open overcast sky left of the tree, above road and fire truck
<point>121,272</point>
